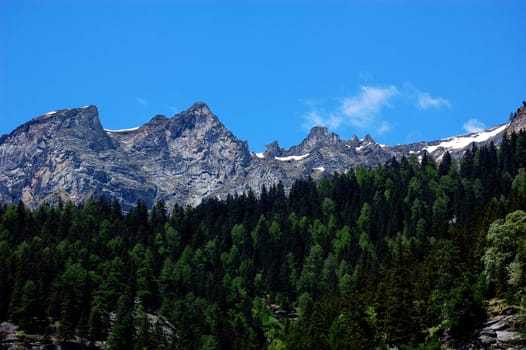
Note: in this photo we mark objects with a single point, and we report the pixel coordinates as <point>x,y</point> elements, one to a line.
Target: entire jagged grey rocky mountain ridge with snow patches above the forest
<point>184,159</point>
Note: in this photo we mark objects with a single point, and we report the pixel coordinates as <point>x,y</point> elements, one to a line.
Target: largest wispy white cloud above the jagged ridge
<point>361,111</point>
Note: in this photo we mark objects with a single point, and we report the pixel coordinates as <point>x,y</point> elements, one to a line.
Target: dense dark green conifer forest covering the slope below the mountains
<point>399,255</point>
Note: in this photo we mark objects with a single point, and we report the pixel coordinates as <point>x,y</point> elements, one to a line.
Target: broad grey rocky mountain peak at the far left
<point>67,154</point>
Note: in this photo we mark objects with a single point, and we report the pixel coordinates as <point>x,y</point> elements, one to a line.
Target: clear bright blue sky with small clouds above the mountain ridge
<point>402,71</point>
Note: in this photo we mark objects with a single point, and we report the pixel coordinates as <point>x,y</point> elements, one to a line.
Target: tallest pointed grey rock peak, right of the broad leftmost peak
<point>185,158</point>
